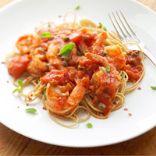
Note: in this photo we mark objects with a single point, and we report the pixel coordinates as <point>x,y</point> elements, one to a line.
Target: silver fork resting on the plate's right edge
<point>127,34</point>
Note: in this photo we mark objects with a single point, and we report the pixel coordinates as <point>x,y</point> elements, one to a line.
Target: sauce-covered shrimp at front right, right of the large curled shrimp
<point>105,86</point>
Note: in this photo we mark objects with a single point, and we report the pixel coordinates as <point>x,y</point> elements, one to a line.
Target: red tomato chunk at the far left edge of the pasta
<point>18,65</point>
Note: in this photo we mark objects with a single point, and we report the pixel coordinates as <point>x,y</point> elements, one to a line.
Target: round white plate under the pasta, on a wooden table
<point>21,17</point>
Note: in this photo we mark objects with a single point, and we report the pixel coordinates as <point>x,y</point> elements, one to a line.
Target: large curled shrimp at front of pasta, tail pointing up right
<point>61,102</point>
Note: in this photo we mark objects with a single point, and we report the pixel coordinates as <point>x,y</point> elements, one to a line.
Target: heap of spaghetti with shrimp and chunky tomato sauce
<point>76,67</point>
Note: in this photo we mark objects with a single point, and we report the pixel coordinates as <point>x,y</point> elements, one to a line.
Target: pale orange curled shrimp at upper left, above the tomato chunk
<point>28,43</point>
